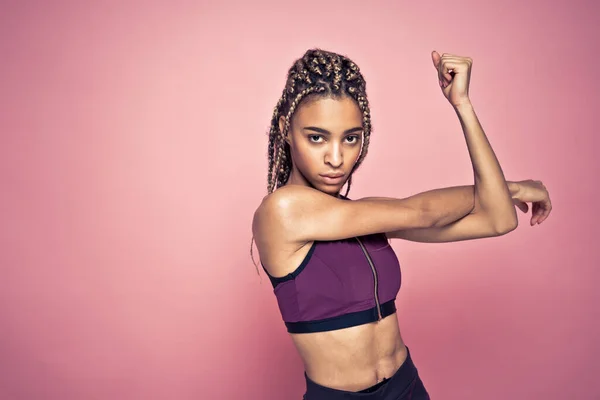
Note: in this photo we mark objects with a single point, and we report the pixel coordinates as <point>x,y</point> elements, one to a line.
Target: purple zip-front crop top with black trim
<point>340,284</point>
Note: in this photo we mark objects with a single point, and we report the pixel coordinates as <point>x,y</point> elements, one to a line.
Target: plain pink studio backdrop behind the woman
<point>133,153</point>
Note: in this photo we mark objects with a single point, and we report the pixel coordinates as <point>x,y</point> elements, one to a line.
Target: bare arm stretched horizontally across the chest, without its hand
<point>301,214</point>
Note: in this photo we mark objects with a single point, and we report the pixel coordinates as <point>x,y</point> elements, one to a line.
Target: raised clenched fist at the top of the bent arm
<point>454,74</point>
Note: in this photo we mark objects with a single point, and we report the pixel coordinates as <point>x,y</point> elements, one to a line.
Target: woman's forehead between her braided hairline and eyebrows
<point>329,113</point>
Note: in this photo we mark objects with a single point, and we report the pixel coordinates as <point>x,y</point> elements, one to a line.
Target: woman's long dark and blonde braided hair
<point>316,73</point>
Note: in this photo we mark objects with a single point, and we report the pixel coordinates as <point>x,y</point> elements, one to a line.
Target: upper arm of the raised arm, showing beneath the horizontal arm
<point>472,226</point>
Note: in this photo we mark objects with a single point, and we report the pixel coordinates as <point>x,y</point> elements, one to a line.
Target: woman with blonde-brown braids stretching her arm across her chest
<point>334,274</point>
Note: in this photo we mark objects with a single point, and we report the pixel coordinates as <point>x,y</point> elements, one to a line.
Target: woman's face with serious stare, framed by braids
<point>325,139</point>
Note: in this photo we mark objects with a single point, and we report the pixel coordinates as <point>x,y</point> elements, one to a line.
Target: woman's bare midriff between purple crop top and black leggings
<point>355,358</point>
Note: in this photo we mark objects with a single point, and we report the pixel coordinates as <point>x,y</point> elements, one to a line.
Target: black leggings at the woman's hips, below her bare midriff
<point>405,384</point>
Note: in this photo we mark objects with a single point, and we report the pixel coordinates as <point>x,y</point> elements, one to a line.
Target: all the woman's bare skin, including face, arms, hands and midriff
<point>325,139</point>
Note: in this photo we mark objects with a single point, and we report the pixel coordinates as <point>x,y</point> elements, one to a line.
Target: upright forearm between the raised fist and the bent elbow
<point>491,193</point>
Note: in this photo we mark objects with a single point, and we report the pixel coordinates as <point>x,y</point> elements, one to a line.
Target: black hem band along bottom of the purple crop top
<point>343,321</point>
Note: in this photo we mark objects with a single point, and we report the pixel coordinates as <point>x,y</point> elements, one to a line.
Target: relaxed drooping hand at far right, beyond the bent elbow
<point>531,191</point>
